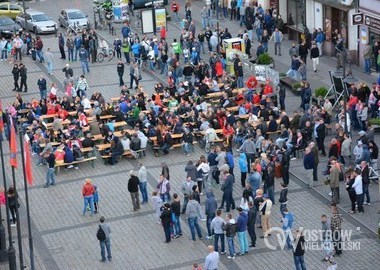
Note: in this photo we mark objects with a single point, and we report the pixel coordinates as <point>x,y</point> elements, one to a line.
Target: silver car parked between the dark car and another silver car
<point>36,21</point>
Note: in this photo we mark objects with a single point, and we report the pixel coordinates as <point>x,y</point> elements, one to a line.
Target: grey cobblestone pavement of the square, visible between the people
<point>63,239</point>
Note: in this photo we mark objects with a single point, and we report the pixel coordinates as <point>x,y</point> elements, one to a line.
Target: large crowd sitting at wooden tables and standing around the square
<point>260,130</point>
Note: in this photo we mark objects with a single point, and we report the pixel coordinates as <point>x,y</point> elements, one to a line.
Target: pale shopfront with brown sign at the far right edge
<point>369,30</point>
